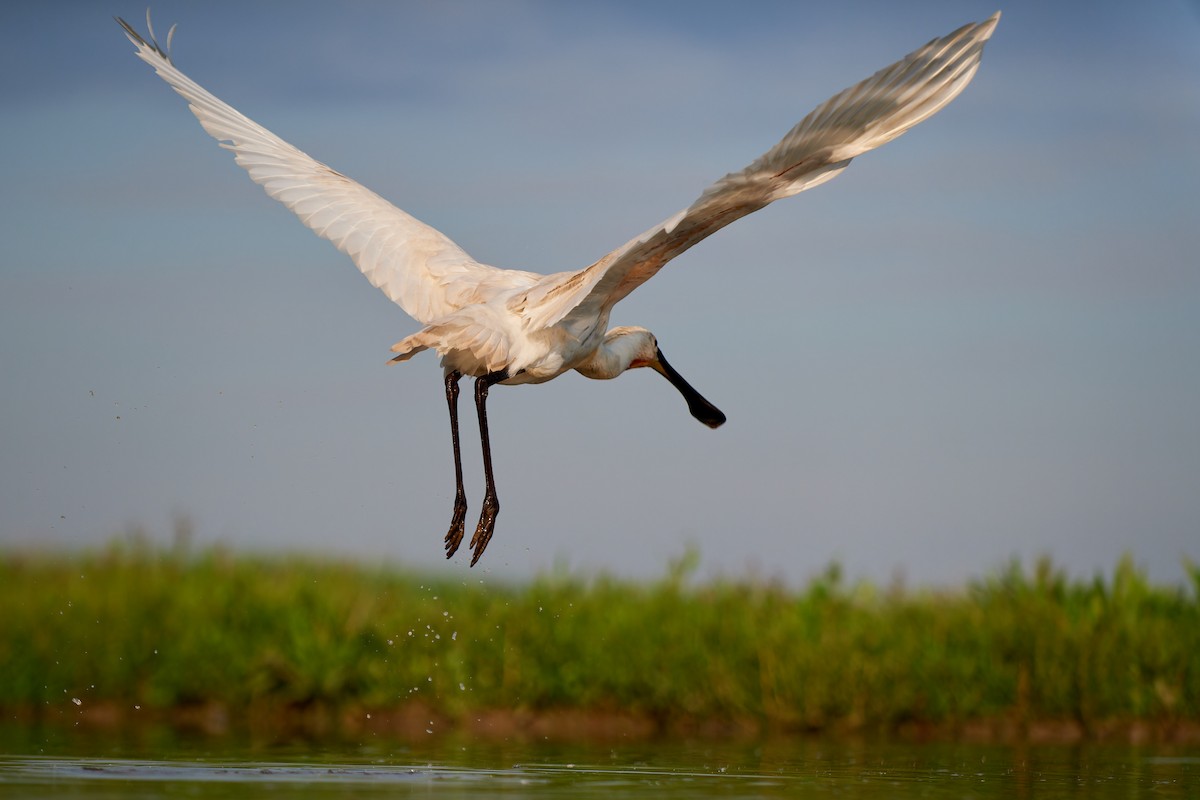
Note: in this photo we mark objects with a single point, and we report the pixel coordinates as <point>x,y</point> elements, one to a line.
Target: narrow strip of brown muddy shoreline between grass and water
<point>422,721</point>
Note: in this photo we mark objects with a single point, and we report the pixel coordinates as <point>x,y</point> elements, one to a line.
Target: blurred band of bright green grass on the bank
<point>139,629</point>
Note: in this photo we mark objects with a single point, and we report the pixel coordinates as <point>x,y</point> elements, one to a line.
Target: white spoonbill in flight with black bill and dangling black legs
<point>512,327</point>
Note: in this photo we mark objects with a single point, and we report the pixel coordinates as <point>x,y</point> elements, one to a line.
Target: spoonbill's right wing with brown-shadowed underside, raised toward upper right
<point>818,149</point>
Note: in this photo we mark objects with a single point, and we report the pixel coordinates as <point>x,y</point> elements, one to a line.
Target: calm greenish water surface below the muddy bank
<point>154,765</point>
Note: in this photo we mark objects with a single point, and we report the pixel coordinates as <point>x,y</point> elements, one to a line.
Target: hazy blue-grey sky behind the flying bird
<point>980,342</point>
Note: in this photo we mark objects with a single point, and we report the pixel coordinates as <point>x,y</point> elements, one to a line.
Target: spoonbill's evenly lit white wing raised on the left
<point>416,266</point>
